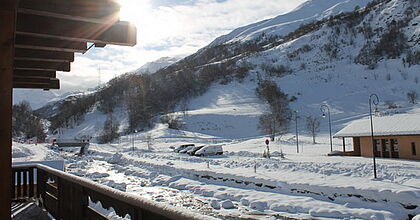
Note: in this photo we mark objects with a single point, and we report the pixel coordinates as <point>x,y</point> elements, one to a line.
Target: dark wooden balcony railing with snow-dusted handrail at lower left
<point>66,196</point>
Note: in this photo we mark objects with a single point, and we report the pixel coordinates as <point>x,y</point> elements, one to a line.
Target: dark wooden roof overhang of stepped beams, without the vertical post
<point>49,32</point>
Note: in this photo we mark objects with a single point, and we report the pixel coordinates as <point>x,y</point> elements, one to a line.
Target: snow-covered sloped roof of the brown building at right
<point>400,124</point>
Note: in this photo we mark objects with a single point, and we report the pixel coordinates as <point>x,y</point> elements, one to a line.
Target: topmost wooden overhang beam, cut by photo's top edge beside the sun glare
<point>74,8</point>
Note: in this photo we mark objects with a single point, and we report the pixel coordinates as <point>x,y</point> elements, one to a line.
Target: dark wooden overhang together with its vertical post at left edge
<point>39,38</point>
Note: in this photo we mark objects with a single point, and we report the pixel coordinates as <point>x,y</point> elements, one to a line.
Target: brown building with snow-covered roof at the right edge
<point>396,136</point>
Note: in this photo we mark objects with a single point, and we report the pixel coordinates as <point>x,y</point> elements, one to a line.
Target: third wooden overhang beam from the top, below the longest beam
<point>51,44</point>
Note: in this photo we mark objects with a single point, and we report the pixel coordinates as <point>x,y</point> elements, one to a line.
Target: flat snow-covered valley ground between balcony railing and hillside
<point>242,184</point>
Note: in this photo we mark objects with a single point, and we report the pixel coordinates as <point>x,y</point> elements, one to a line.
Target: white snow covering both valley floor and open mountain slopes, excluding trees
<point>242,184</point>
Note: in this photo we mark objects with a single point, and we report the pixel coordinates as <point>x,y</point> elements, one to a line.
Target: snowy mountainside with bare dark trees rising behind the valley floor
<point>335,58</point>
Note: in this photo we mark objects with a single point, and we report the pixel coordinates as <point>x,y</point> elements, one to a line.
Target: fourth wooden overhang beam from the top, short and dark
<point>42,55</point>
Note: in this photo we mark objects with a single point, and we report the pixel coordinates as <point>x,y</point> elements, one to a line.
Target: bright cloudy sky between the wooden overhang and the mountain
<point>167,28</point>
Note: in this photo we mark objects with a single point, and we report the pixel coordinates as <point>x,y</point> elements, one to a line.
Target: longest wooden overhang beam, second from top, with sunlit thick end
<point>120,33</point>
